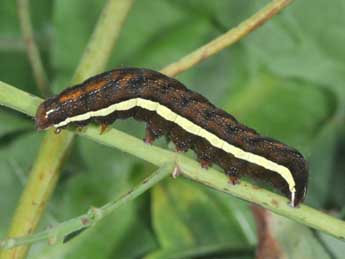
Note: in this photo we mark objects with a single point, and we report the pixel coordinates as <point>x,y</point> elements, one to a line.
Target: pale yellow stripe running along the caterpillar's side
<point>190,127</point>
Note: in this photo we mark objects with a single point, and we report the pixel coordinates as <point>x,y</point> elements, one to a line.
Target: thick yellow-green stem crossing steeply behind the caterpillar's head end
<point>54,147</point>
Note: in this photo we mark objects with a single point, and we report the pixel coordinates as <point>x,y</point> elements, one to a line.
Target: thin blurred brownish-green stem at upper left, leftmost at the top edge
<point>40,75</point>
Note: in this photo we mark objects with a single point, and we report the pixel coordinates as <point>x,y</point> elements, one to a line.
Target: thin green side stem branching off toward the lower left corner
<point>59,232</point>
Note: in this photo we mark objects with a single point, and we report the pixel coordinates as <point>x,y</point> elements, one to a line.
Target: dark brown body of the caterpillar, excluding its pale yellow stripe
<point>119,85</point>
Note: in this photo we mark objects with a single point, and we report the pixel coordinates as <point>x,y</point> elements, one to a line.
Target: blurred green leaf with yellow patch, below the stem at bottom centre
<point>186,216</point>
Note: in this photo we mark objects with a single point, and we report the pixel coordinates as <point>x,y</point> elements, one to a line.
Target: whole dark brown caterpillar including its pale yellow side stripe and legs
<point>187,118</point>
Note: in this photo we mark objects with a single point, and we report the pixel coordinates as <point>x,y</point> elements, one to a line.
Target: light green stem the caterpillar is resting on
<point>212,178</point>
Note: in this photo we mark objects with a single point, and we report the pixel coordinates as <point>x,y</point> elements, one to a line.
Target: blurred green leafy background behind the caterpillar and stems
<point>286,80</point>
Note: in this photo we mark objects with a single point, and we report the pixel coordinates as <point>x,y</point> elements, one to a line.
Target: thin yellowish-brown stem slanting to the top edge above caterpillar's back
<point>226,39</point>
